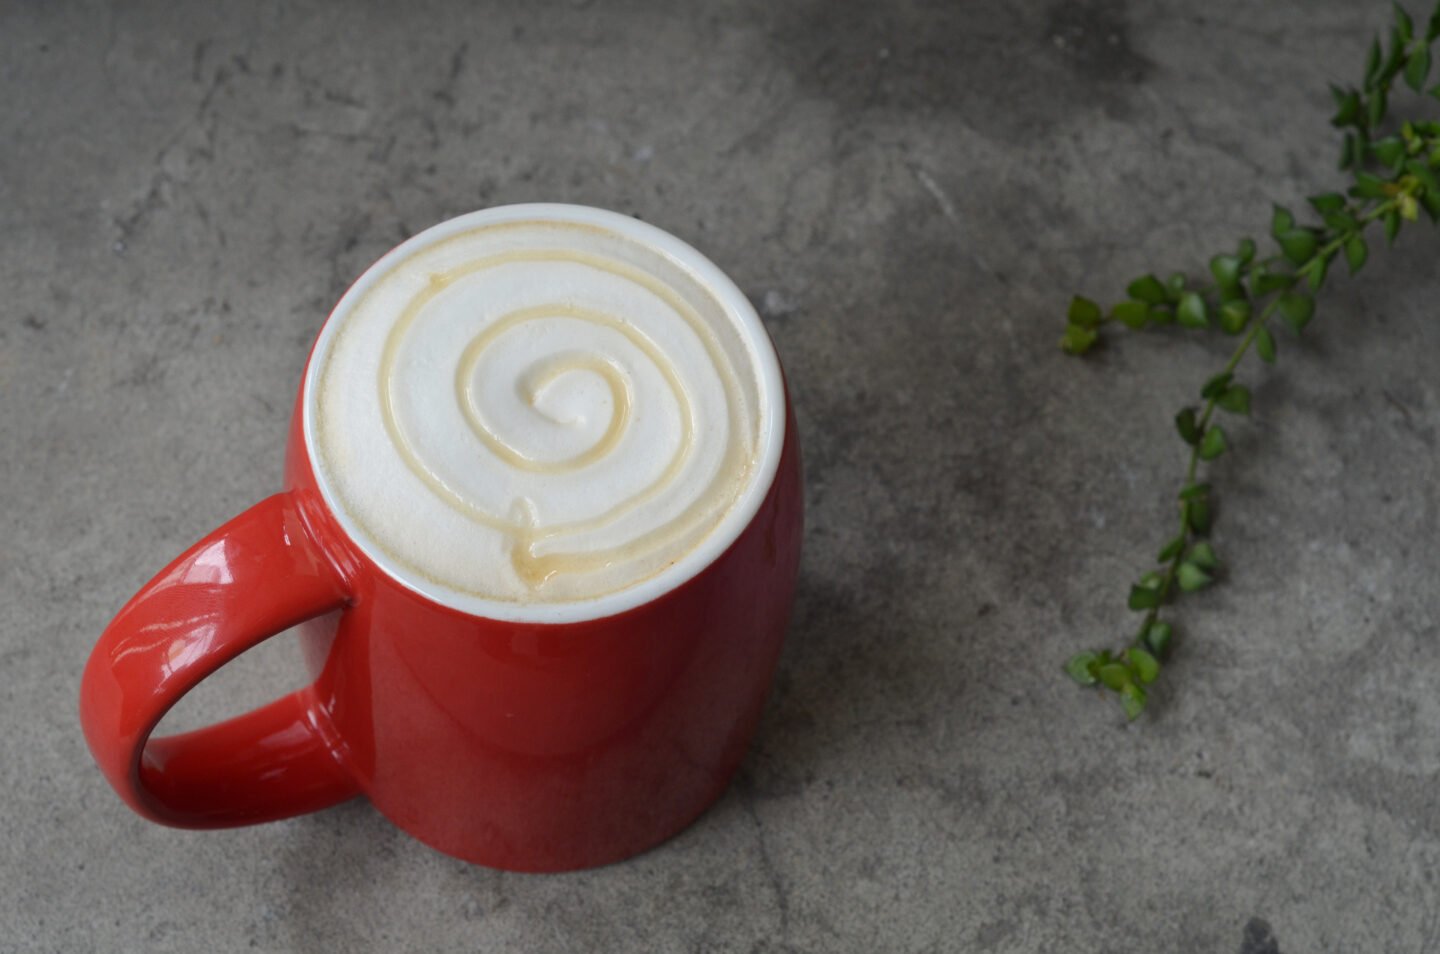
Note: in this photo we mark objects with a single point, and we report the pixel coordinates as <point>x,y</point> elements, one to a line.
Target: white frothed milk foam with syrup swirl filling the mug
<point>526,410</point>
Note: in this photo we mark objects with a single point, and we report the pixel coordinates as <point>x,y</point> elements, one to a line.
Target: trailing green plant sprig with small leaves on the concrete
<point>1396,175</point>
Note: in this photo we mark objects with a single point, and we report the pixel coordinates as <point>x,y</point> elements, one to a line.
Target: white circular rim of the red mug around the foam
<point>770,390</point>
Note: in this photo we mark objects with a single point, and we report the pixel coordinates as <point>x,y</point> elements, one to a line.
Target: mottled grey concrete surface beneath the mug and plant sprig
<point>911,192</point>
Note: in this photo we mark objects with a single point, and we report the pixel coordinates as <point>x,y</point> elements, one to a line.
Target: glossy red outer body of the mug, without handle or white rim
<point>552,747</point>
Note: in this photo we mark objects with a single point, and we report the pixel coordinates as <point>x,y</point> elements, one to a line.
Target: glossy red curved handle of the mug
<point>253,579</point>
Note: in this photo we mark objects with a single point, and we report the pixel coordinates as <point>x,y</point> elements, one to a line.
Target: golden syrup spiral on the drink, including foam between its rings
<point>562,423</point>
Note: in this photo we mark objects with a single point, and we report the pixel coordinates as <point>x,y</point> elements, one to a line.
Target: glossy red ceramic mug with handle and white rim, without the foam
<point>546,739</point>
